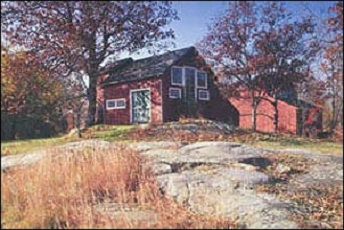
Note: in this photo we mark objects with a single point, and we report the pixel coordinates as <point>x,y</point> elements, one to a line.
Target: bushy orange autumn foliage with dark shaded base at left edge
<point>31,98</point>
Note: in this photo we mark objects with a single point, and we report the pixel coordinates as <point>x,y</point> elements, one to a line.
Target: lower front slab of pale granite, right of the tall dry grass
<point>221,194</point>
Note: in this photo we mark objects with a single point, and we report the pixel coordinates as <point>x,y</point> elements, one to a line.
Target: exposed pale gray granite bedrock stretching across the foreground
<point>215,178</point>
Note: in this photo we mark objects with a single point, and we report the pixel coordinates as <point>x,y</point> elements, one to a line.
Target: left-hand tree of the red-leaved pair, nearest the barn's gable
<point>229,43</point>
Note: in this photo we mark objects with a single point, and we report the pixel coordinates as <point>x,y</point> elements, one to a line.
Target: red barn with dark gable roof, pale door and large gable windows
<point>161,88</point>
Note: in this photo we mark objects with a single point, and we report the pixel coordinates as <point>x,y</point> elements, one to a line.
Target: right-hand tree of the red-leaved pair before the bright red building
<point>286,49</point>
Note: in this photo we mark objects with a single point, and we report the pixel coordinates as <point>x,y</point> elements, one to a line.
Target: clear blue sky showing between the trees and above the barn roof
<point>196,15</point>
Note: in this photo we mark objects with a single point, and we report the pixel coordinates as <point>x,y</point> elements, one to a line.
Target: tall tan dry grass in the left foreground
<point>63,191</point>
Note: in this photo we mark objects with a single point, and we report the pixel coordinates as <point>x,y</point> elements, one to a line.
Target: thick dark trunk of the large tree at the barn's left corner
<point>92,98</point>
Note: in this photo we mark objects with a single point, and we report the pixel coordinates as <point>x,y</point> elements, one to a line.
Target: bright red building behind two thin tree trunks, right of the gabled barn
<point>294,116</point>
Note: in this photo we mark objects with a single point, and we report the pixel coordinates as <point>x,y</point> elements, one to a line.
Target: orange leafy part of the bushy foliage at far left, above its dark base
<point>23,83</point>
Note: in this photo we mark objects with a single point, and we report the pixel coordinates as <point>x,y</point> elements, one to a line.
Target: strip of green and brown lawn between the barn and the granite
<point>199,132</point>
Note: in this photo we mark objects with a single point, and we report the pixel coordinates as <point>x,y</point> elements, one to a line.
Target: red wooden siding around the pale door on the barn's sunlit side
<point>116,91</point>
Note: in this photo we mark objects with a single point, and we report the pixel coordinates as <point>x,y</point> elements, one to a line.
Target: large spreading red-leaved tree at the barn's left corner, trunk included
<point>78,36</point>
